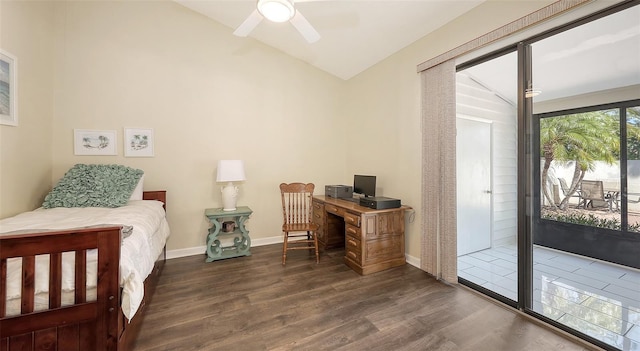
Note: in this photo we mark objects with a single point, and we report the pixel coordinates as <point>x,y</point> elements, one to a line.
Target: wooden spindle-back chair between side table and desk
<point>297,214</point>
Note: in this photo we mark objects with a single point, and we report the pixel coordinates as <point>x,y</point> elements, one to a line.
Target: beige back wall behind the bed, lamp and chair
<point>207,94</point>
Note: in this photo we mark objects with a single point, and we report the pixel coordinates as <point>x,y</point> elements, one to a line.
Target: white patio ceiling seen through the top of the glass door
<point>598,56</point>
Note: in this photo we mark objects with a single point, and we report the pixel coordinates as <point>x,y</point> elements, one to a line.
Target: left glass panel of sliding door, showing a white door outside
<point>486,161</point>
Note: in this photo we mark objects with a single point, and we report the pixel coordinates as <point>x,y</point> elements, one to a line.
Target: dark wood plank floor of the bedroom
<point>253,303</point>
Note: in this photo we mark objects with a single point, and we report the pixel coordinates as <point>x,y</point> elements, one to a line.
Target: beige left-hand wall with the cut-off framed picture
<point>26,32</point>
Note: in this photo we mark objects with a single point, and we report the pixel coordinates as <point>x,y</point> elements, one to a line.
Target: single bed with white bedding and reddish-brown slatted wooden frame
<point>79,278</point>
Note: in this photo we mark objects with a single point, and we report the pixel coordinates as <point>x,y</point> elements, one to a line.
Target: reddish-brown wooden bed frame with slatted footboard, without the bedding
<point>85,325</point>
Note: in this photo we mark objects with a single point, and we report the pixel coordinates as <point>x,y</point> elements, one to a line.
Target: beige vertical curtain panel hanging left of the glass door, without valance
<point>438,249</point>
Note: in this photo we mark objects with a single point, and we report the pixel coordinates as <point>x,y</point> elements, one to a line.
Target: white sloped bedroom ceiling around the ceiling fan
<point>355,34</point>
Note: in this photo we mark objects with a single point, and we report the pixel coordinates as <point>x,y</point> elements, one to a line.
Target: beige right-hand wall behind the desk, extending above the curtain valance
<point>387,98</point>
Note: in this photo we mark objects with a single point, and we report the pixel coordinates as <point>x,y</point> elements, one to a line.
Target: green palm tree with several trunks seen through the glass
<point>581,138</point>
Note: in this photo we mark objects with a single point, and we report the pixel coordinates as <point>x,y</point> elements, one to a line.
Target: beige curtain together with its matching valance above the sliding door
<point>439,241</point>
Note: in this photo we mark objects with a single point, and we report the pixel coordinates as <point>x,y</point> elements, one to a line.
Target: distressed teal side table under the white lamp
<point>220,244</point>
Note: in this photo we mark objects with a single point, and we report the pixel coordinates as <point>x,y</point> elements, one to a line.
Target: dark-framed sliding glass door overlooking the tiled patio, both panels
<point>548,177</point>
